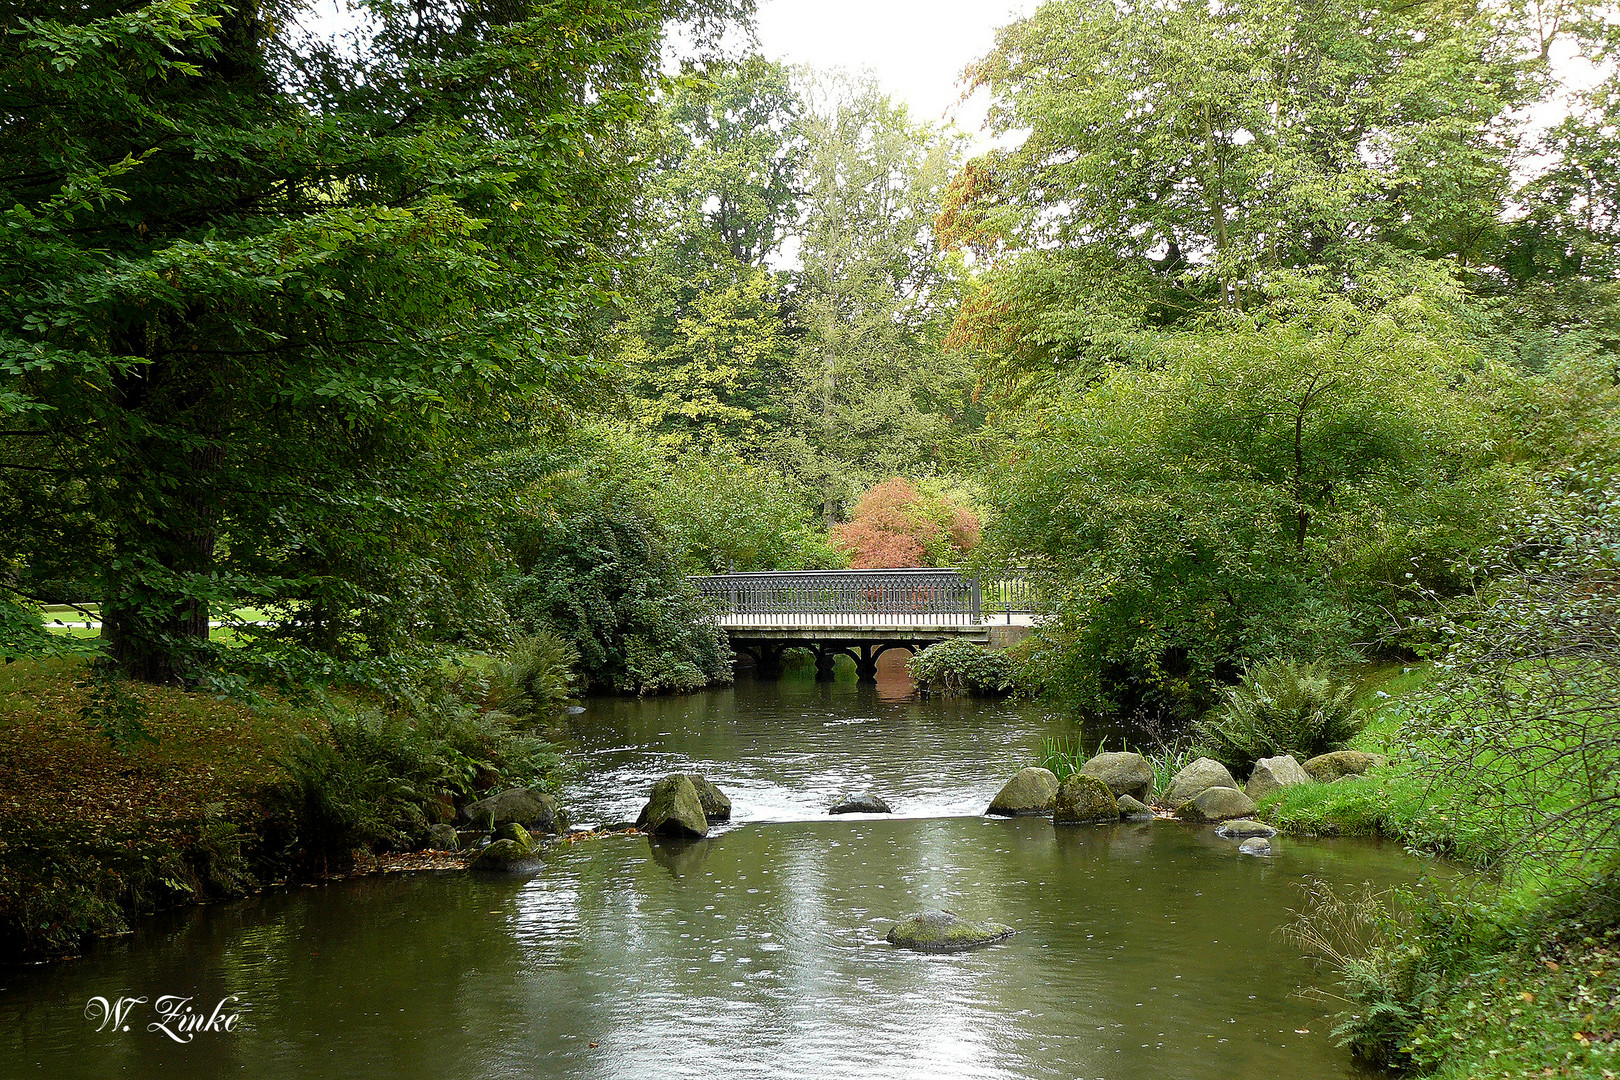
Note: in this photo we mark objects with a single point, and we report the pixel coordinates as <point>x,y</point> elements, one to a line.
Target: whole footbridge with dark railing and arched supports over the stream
<point>863,614</point>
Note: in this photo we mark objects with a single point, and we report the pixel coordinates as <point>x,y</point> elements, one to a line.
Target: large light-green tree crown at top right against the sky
<point>1180,158</point>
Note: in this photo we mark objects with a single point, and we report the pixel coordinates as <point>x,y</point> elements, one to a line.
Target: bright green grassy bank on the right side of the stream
<point>1517,976</point>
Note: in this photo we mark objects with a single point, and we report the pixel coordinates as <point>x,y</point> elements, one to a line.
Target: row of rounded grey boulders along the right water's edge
<point>1120,786</point>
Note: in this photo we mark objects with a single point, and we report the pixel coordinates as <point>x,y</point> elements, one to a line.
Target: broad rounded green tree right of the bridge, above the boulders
<point>1271,488</point>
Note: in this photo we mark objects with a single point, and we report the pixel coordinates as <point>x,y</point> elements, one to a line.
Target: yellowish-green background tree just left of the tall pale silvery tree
<point>706,336</point>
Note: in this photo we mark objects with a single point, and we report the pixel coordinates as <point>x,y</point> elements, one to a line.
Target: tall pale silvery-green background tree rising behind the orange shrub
<point>874,394</point>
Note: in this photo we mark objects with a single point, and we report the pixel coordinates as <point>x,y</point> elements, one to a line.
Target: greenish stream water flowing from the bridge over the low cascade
<point>1143,950</point>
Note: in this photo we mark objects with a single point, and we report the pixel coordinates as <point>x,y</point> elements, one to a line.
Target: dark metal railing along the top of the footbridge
<point>918,598</point>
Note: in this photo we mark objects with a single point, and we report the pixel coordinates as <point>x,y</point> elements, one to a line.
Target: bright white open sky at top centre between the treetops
<point>916,48</point>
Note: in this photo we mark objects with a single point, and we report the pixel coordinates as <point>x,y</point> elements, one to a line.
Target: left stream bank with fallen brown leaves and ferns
<point>119,801</point>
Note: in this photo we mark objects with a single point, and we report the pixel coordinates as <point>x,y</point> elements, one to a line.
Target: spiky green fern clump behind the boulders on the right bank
<point>1281,708</point>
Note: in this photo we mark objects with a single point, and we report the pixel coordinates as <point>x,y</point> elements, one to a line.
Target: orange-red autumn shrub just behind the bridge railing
<point>897,525</point>
